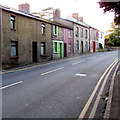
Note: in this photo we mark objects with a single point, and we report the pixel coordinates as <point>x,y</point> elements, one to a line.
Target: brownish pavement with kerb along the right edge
<point>113,104</point>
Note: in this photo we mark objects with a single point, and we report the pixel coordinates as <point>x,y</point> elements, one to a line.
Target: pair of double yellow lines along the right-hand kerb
<point>94,108</point>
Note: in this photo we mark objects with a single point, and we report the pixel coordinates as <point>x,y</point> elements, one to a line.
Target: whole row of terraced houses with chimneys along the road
<point>26,38</point>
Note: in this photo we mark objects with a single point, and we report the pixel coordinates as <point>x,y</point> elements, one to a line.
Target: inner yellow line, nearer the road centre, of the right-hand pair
<point>82,114</point>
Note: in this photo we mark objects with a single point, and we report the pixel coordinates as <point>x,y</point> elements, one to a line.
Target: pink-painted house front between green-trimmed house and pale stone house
<point>68,42</point>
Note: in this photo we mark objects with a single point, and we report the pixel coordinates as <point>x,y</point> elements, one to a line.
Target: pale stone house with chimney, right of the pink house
<point>81,34</point>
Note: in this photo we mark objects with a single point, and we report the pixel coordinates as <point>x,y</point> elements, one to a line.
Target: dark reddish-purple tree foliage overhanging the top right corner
<point>112,7</point>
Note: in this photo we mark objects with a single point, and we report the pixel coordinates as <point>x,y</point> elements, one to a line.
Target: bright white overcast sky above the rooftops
<point>88,9</point>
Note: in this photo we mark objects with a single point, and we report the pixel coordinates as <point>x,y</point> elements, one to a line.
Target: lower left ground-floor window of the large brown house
<point>14,48</point>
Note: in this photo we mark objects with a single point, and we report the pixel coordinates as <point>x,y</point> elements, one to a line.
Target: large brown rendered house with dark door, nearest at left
<point>25,38</point>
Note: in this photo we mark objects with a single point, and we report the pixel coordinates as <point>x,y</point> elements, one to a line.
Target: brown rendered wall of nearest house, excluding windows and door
<point>27,30</point>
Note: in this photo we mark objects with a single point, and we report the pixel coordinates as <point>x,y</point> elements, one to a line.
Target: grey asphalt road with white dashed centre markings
<point>54,90</point>
